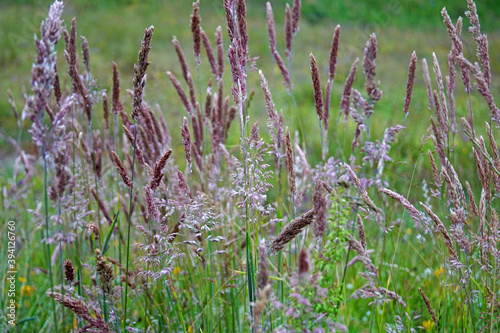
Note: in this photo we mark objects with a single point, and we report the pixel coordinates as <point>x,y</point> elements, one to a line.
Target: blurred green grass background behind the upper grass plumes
<point>114,30</point>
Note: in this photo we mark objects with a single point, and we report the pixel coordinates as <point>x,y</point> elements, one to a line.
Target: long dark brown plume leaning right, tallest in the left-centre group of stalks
<point>140,72</point>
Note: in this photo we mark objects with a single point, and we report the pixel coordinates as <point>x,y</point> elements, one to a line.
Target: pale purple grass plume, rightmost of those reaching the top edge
<point>481,40</point>
